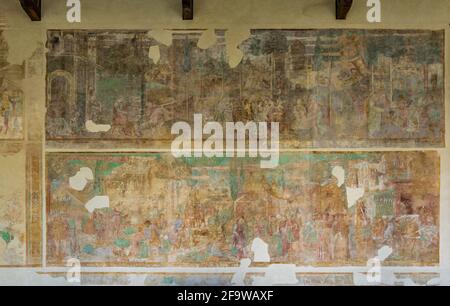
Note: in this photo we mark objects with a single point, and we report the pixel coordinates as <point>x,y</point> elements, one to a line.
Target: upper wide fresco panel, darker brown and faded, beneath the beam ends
<point>327,88</point>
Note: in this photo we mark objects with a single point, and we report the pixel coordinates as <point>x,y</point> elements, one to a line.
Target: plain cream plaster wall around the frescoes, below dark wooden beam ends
<point>24,36</point>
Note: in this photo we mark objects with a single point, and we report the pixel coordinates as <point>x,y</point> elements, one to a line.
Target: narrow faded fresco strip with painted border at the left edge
<point>20,160</point>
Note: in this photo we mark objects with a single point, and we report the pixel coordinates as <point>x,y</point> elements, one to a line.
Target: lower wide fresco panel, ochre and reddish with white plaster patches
<point>314,209</point>
